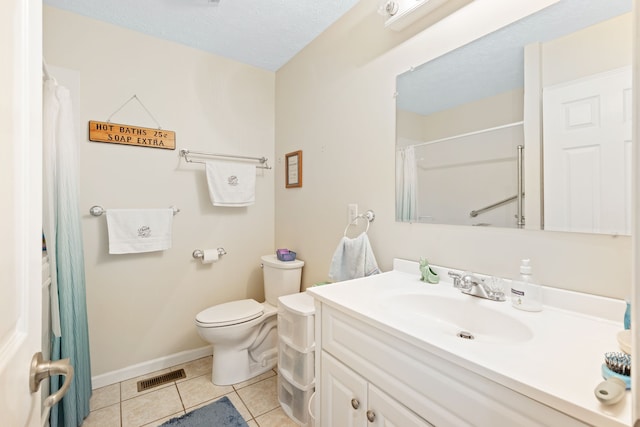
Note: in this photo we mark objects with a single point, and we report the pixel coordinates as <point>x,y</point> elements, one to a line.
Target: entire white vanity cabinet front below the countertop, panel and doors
<point>406,383</point>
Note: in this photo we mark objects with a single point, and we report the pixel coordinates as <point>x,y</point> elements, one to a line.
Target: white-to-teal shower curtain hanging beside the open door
<point>63,235</point>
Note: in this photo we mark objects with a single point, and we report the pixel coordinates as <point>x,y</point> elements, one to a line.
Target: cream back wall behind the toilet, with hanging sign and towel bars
<point>142,307</point>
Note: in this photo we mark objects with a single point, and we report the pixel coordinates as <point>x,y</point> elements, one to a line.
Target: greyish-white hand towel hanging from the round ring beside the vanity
<point>353,258</point>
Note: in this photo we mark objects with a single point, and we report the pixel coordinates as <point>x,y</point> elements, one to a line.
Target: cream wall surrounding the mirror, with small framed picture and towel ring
<point>335,102</point>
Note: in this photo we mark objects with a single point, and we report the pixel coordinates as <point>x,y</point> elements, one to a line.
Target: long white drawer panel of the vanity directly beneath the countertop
<point>434,388</point>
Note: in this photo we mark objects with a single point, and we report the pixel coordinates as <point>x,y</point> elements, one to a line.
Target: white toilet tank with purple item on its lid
<point>280,277</point>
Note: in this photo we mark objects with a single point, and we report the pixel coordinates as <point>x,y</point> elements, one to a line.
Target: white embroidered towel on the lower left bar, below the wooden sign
<point>139,230</point>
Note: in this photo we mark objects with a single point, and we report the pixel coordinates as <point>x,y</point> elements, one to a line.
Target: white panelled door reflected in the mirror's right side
<point>587,154</point>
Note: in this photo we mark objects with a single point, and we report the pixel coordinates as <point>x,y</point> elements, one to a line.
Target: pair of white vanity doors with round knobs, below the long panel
<point>349,400</point>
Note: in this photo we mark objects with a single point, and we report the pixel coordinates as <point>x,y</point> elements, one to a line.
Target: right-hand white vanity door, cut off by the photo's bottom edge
<point>387,412</point>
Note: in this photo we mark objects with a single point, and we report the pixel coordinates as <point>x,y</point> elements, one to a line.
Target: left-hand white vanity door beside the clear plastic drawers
<point>343,395</point>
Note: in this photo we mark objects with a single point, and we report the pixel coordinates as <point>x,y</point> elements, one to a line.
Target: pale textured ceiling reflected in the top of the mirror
<point>495,63</point>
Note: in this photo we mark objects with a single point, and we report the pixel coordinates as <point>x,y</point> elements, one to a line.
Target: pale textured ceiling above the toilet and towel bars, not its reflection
<point>262,33</point>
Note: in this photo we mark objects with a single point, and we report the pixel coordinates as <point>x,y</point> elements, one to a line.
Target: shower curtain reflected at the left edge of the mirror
<point>406,185</point>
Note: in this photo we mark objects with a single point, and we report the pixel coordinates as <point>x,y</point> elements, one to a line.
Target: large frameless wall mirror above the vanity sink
<point>557,83</point>
